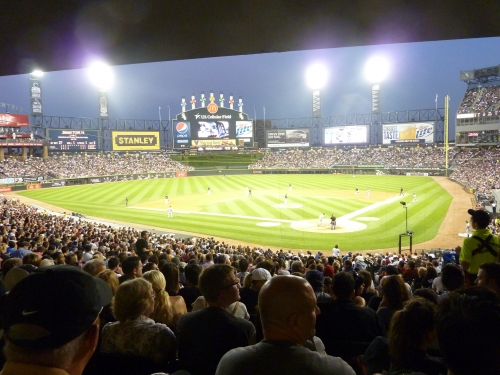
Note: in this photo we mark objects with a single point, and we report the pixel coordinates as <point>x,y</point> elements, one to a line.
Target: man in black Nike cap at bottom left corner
<point>51,321</point>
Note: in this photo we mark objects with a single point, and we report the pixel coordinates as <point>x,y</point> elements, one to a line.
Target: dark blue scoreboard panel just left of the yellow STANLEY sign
<point>73,140</point>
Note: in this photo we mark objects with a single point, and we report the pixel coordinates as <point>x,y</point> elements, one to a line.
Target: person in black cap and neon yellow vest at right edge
<point>481,247</point>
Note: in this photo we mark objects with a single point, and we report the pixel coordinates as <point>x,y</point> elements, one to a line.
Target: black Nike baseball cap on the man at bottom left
<point>53,306</point>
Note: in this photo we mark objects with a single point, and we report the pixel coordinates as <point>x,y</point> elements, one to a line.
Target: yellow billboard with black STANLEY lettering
<point>135,140</point>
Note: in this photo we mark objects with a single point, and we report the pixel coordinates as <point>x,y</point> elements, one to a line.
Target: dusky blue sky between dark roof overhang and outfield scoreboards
<point>275,81</point>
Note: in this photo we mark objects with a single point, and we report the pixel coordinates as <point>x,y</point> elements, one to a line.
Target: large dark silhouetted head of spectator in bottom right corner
<point>468,328</point>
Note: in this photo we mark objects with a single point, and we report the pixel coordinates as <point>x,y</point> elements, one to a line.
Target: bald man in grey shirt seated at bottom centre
<point>283,302</point>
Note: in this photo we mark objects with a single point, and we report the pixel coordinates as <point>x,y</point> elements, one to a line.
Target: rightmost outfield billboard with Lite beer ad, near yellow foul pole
<point>413,132</point>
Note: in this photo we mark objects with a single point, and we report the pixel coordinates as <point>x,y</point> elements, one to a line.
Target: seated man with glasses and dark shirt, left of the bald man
<point>204,336</point>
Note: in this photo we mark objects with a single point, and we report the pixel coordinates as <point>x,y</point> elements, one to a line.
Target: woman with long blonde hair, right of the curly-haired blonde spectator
<point>167,309</point>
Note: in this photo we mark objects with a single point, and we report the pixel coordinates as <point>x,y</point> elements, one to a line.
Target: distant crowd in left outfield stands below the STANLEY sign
<point>90,165</point>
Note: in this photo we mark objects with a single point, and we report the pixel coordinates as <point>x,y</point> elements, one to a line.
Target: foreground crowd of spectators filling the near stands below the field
<point>152,303</point>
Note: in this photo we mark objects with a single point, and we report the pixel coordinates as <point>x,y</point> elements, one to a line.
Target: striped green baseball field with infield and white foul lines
<point>229,213</point>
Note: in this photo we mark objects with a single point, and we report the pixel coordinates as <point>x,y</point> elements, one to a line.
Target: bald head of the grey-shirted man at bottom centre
<point>288,309</point>
